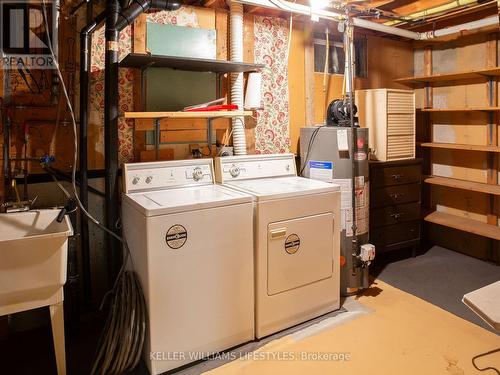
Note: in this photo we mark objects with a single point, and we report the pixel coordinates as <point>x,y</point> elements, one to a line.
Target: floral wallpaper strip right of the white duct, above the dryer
<point>270,46</point>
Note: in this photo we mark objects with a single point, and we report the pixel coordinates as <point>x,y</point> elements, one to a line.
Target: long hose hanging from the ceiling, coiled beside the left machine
<point>121,342</point>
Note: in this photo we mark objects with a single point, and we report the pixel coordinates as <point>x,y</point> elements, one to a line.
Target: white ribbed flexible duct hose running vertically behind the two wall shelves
<point>236,54</point>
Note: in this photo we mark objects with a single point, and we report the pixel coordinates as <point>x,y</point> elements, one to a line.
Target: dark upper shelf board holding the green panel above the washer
<point>140,60</point>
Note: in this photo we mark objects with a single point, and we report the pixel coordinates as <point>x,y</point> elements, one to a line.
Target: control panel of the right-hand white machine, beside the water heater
<point>231,168</point>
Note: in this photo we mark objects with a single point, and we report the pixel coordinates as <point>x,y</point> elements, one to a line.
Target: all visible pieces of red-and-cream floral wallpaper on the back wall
<point>271,38</point>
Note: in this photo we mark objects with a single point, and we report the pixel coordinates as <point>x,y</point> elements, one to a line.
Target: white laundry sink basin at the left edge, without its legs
<point>33,259</point>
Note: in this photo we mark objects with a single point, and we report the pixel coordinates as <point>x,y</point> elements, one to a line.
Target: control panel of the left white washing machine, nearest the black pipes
<point>160,175</point>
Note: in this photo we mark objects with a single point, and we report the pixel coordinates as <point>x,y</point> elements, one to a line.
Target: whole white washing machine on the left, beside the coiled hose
<point>192,246</point>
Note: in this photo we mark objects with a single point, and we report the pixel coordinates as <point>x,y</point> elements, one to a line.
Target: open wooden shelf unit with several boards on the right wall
<point>490,77</point>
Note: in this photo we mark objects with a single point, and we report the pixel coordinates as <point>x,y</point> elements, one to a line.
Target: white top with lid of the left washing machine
<point>185,199</point>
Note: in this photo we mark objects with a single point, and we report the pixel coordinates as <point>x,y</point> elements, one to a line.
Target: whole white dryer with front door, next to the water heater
<point>296,239</point>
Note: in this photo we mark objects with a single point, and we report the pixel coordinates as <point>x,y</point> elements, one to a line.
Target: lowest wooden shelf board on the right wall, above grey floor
<point>464,224</point>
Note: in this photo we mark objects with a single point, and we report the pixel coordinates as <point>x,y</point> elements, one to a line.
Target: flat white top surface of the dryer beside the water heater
<point>283,187</point>
